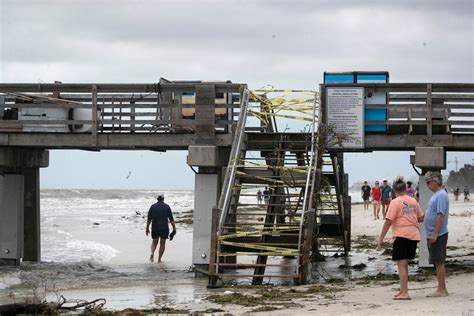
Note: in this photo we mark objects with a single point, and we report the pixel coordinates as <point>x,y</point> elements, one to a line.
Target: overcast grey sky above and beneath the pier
<point>288,44</point>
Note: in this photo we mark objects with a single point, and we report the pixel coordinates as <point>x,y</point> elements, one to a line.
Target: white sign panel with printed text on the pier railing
<point>345,111</point>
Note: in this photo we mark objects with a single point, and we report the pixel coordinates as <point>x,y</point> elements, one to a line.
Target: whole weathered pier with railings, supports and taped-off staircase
<point>235,140</point>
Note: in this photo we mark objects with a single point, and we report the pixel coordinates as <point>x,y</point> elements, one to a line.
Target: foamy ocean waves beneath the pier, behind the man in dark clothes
<point>85,225</point>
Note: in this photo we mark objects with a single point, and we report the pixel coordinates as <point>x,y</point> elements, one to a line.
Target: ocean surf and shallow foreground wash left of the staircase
<point>93,243</point>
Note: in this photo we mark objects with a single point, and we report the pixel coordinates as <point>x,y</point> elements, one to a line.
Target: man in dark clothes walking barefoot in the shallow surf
<point>158,217</point>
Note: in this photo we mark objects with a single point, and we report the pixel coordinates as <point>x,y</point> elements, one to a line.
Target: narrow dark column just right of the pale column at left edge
<point>32,229</point>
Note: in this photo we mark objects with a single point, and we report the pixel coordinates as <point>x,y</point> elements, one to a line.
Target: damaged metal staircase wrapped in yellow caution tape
<point>270,239</point>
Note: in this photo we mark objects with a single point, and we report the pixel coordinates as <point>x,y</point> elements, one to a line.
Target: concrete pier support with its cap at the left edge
<point>20,204</point>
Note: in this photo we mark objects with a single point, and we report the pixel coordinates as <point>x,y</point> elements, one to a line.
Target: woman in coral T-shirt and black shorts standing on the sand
<point>404,215</point>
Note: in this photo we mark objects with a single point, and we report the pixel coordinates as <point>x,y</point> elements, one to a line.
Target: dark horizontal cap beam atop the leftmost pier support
<point>22,157</point>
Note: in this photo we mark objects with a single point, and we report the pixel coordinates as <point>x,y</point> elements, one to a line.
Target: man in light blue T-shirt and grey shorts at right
<point>436,228</point>
